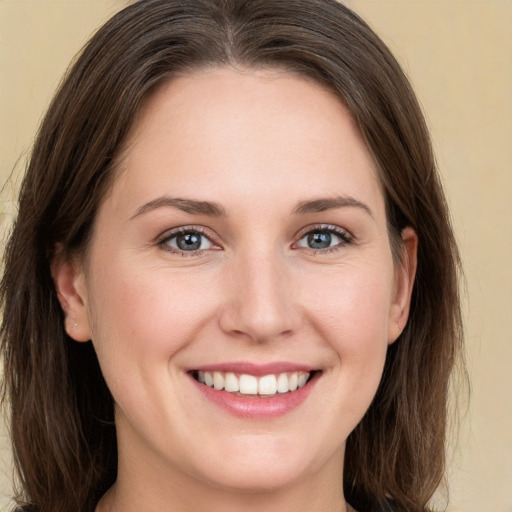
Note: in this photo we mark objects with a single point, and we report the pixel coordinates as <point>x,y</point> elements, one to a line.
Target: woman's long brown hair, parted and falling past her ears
<point>61,411</point>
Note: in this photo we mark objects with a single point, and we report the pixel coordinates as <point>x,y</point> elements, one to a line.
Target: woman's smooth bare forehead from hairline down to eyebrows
<point>228,128</point>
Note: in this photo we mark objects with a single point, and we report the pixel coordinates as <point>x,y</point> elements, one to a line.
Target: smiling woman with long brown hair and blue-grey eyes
<point>232,283</point>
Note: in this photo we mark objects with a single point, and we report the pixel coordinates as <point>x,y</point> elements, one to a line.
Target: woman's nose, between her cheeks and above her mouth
<point>260,303</point>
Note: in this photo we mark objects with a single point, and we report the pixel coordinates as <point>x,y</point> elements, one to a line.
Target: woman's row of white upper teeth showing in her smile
<point>251,385</point>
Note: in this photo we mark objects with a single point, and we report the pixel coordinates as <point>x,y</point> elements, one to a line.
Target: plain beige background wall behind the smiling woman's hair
<point>458,54</point>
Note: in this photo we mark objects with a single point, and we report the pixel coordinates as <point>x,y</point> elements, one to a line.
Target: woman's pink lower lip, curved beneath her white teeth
<point>253,407</point>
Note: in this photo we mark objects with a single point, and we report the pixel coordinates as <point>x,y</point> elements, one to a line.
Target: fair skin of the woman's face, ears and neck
<point>257,143</point>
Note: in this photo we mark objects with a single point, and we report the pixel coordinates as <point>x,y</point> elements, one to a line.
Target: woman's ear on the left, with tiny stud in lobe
<point>69,280</point>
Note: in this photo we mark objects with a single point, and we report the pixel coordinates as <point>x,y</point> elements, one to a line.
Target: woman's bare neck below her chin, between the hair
<point>171,492</point>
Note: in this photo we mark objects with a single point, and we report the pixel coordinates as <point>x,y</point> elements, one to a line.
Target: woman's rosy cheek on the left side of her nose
<point>142,318</point>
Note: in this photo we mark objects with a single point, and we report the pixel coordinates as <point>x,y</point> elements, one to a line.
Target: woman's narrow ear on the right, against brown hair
<point>404,281</point>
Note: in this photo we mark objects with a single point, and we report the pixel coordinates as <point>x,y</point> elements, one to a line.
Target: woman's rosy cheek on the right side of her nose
<point>351,312</point>
